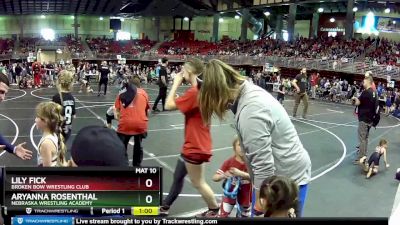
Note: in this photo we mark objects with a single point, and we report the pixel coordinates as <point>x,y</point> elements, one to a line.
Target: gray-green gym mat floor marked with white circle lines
<point>338,188</point>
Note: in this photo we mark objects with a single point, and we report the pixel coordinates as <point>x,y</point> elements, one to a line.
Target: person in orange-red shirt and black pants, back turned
<point>131,109</point>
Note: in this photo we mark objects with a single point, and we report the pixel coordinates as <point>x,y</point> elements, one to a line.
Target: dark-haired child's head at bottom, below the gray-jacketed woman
<point>279,197</point>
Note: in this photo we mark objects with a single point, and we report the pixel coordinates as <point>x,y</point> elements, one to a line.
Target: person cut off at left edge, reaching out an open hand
<point>18,150</point>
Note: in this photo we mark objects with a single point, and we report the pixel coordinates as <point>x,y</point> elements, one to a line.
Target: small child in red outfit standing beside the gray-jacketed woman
<point>235,169</point>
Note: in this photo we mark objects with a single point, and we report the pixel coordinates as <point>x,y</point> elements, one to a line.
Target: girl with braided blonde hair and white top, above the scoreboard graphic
<point>51,148</point>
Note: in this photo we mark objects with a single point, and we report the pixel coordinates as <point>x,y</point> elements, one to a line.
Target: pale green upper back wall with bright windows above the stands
<point>91,26</point>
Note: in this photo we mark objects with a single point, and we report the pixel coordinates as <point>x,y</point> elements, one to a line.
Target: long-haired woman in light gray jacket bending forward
<point>268,137</point>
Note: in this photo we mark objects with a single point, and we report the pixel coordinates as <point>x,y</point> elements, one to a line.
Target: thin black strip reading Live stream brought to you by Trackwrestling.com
<point>65,220</point>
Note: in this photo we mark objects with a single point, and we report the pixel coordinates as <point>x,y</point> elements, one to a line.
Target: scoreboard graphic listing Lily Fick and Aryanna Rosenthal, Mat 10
<point>81,191</point>
